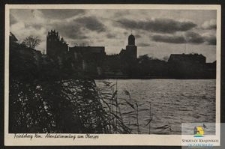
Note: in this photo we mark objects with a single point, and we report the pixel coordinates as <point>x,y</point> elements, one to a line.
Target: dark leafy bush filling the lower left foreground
<point>67,106</point>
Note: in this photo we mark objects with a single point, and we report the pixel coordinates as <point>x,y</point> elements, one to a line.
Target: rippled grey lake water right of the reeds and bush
<point>172,102</point>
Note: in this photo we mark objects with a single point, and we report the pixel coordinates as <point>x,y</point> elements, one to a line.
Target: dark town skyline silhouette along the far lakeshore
<point>93,62</point>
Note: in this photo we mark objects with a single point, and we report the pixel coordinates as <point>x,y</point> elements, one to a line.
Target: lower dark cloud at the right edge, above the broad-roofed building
<point>189,37</point>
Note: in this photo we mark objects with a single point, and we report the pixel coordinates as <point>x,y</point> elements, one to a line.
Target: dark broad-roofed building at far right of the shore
<point>190,66</point>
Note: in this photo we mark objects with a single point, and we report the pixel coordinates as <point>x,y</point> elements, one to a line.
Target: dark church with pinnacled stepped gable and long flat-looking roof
<point>78,58</point>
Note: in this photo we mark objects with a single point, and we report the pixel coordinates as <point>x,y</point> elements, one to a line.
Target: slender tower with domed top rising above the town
<point>131,48</point>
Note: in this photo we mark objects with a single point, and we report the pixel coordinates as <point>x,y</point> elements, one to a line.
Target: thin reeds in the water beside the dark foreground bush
<point>114,104</point>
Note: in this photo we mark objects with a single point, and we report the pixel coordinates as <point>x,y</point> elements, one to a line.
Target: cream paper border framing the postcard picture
<point>108,139</point>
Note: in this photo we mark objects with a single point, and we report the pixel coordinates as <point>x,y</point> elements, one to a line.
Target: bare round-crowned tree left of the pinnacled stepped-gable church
<point>31,41</point>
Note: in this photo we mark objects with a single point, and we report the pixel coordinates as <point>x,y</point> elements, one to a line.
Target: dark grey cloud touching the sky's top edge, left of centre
<point>61,13</point>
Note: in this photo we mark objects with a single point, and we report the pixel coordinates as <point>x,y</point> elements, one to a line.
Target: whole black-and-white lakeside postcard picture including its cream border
<point>98,69</point>
